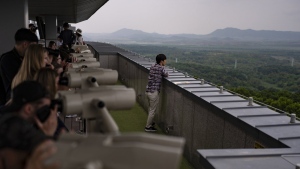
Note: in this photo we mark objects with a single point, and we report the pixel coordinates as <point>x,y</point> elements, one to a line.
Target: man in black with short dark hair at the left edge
<point>10,62</point>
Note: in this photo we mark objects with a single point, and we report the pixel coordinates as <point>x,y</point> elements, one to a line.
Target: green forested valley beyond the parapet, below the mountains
<point>269,74</point>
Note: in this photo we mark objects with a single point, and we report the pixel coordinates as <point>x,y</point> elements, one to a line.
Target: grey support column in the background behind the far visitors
<point>50,28</point>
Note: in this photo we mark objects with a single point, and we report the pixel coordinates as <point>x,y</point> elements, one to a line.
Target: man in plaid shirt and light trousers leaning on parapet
<point>157,72</point>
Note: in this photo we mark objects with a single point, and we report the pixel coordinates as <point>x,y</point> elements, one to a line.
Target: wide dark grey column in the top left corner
<point>13,16</point>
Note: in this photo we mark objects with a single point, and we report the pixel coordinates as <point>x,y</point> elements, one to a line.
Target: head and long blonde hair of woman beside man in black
<point>35,58</point>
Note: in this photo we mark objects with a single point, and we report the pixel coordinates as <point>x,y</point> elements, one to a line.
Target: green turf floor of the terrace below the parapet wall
<point>134,120</point>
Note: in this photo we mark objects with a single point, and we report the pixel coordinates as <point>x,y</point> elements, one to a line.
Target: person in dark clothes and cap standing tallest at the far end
<point>67,36</point>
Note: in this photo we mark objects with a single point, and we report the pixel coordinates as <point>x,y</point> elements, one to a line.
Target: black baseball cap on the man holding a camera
<point>25,92</point>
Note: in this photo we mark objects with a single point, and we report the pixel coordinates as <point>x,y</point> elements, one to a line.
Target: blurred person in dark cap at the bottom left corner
<point>23,146</point>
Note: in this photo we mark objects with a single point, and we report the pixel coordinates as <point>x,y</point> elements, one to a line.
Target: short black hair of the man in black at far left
<point>24,34</point>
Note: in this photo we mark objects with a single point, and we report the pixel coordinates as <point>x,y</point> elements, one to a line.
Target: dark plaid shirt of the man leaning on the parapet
<point>157,72</point>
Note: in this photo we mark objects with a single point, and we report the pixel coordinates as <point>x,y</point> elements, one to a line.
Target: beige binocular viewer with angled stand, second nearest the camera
<point>93,104</point>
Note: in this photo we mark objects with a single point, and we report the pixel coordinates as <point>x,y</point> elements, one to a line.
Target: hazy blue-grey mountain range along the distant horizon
<point>227,34</point>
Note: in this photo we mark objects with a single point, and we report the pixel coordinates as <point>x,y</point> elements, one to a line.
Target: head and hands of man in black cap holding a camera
<point>31,101</point>
